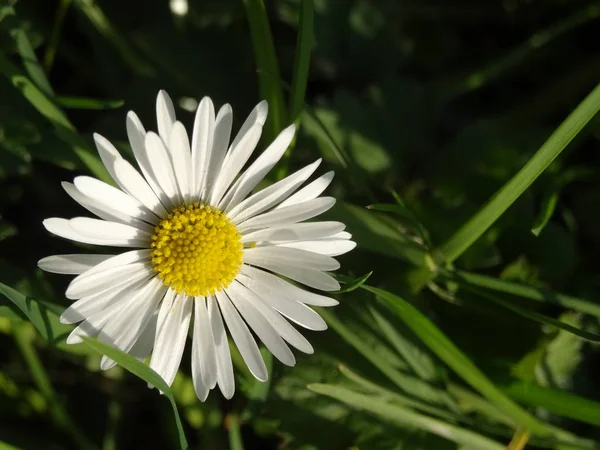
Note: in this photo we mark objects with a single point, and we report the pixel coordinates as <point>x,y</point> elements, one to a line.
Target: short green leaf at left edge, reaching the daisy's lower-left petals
<point>41,315</point>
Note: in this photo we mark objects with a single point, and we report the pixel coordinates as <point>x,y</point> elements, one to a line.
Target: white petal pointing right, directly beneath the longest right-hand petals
<point>273,256</point>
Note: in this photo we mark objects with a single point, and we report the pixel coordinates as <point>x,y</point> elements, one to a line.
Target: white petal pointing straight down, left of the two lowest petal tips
<point>204,357</point>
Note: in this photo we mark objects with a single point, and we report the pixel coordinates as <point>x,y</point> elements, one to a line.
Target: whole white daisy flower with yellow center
<point>200,249</point>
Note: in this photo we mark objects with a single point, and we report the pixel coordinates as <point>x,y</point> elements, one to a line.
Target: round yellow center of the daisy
<point>196,250</point>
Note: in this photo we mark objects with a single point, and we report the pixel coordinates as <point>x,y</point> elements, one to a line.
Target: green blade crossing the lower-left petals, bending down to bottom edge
<point>142,371</point>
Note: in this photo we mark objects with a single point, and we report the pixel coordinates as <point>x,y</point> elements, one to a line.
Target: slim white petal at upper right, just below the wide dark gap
<point>268,197</point>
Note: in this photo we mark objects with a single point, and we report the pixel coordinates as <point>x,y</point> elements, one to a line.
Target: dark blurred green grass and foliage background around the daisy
<point>424,107</point>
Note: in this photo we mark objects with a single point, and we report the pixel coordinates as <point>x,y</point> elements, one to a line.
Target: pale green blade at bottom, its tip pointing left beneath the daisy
<point>407,418</point>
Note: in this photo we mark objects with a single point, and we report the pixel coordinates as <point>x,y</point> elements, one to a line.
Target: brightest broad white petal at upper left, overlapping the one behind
<point>113,197</point>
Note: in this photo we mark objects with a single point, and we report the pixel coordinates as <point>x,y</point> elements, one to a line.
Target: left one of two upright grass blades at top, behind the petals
<point>266,63</point>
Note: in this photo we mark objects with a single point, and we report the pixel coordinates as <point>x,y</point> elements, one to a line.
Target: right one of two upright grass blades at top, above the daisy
<point>304,44</point>
